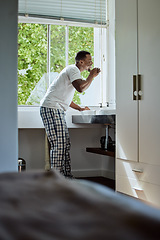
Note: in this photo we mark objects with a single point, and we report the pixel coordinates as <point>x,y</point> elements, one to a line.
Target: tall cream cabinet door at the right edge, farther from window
<point>149,67</point>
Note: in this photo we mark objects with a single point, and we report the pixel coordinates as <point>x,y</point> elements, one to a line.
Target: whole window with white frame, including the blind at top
<point>51,33</point>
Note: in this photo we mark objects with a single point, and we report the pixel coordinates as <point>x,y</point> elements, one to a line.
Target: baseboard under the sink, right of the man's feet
<point>93,173</point>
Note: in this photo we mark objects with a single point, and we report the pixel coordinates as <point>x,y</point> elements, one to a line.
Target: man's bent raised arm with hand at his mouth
<point>81,85</point>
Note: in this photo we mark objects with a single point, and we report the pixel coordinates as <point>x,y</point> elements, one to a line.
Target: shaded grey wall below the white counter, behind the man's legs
<point>32,150</point>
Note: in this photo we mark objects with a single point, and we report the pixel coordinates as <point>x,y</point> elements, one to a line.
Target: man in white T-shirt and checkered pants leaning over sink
<point>55,103</point>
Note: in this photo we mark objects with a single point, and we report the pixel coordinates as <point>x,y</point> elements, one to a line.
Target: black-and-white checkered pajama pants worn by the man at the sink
<point>58,136</point>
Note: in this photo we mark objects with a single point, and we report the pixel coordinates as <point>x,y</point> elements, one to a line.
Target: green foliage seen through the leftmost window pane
<point>32,58</point>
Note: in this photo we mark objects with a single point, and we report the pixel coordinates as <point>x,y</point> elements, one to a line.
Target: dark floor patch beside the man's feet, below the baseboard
<point>102,180</point>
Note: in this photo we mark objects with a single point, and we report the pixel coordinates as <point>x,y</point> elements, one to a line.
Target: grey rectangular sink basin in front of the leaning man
<point>94,119</point>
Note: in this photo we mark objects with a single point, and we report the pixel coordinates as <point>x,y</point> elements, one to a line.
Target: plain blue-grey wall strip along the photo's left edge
<point>8,86</point>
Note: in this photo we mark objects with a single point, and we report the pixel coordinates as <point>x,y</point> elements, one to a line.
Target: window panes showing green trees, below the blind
<point>44,50</point>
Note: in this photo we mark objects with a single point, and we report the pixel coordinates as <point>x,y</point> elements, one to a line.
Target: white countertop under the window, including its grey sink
<point>29,117</point>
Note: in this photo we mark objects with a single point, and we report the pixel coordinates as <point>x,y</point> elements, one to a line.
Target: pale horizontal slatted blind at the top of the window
<point>88,11</point>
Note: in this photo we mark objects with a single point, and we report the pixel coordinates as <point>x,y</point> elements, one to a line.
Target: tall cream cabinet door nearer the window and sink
<point>126,67</point>
